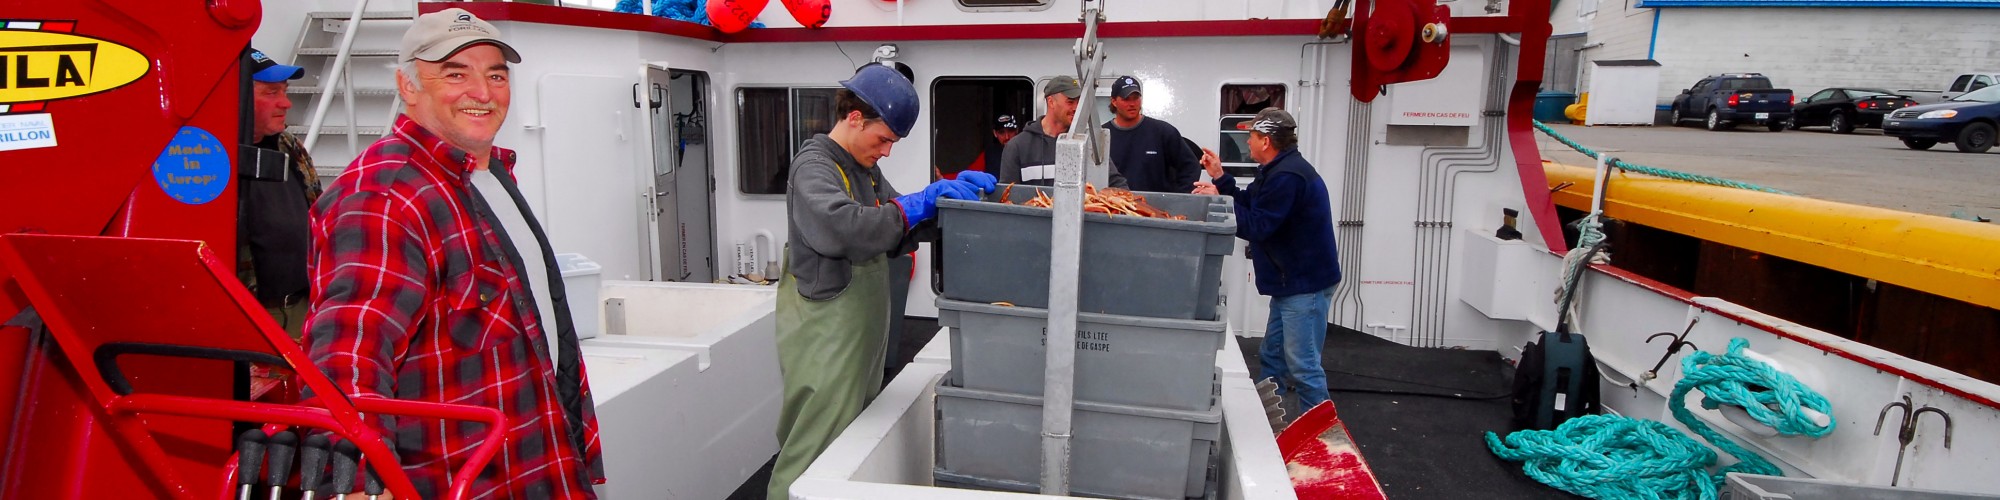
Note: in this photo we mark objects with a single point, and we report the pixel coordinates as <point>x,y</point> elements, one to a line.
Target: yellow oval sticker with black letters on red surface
<point>37,67</point>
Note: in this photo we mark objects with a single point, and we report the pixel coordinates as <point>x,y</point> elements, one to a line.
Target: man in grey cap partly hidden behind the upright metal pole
<point>1031,157</point>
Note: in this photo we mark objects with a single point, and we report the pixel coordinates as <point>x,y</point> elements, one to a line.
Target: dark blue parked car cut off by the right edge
<point>1965,121</point>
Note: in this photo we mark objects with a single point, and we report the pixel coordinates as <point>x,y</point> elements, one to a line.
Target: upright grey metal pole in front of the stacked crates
<point>1065,259</point>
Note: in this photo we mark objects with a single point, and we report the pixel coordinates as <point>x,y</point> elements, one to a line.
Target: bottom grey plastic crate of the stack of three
<point>995,441</point>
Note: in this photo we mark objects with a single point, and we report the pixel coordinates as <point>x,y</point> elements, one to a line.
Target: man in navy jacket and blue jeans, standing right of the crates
<point>1289,223</point>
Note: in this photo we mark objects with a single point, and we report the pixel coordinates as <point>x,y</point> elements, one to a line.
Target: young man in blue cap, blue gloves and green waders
<point>835,293</point>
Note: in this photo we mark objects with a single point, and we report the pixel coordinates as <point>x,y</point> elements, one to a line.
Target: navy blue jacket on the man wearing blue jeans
<point>1289,223</point>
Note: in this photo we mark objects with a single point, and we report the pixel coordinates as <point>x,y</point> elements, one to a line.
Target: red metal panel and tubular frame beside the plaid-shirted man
<point>97,291</point>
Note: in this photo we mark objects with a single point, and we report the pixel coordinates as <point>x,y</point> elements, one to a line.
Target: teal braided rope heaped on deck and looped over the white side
<point>1625,459</point>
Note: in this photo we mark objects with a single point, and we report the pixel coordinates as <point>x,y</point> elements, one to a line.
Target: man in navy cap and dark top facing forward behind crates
<point>1149,151</point>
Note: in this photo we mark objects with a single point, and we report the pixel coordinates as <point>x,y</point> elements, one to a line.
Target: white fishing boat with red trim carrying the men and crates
<point>655,151</point>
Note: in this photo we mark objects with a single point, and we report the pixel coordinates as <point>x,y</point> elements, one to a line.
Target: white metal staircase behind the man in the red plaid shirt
<point>349,57</point>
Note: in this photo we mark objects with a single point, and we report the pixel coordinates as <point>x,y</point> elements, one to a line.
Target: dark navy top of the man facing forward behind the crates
<point>1153,157</point>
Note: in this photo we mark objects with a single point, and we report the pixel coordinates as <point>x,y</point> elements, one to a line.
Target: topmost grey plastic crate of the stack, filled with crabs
<point>1131,265</point>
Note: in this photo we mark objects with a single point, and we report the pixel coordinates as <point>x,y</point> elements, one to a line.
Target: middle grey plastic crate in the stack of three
<point>1119,359</point>
